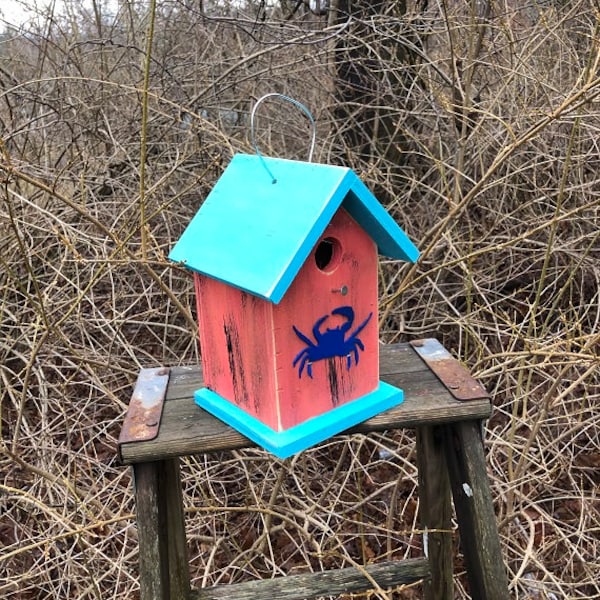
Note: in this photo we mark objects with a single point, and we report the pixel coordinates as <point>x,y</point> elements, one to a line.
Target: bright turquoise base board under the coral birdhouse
<point>313,431</point>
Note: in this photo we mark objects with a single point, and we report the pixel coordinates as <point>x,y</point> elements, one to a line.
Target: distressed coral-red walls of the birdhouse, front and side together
<point>249,345</point>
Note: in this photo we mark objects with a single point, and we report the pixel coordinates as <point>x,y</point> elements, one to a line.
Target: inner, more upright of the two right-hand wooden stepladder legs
<point>435,511</point>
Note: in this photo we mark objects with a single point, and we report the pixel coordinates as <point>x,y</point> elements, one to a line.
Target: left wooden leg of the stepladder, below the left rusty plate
<point>164,570</point>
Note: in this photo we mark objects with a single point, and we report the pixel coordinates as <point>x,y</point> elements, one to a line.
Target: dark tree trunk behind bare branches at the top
<point>375,60</point>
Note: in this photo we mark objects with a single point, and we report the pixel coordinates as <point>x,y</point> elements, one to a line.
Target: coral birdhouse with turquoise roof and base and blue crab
<point>285,261</point>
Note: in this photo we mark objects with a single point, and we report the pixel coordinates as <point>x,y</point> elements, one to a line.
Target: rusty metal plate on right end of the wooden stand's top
<point>459,382</point>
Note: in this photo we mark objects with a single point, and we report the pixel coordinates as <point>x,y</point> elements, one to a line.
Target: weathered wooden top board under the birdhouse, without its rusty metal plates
<point>187,429</point>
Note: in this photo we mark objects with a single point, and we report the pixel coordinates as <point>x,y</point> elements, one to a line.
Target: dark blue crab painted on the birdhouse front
<point>331,342</point>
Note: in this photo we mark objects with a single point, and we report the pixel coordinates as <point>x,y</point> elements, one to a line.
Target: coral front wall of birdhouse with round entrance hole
<point>332,383</point>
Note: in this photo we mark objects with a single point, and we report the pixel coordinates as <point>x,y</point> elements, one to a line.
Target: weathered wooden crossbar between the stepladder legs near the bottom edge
<point>326,583</point>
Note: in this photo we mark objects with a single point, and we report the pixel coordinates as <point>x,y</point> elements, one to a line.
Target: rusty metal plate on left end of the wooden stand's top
<point>145,408</point>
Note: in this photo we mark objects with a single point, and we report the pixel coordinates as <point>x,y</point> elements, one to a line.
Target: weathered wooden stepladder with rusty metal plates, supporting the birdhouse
<point>442,402</point>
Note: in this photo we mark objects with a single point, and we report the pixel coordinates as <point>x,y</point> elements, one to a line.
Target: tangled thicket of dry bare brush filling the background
<point>498,185</point>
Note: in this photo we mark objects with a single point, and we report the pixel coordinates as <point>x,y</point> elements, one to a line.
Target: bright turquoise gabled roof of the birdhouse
<point>255,234</point>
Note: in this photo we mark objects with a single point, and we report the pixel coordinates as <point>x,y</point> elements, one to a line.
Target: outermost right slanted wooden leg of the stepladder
<point>475,512</point>
